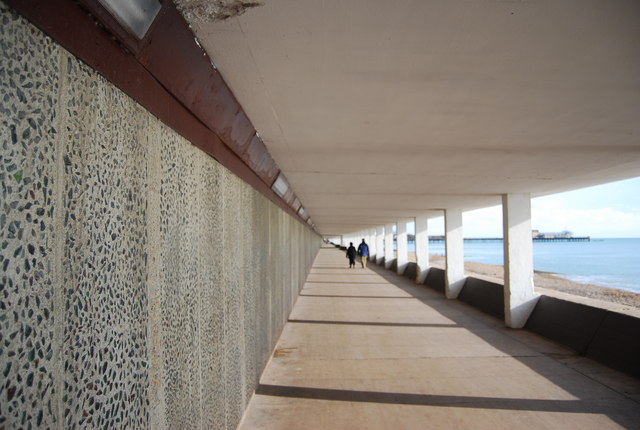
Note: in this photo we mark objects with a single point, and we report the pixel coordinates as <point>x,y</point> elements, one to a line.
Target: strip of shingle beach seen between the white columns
<point>553,285</point>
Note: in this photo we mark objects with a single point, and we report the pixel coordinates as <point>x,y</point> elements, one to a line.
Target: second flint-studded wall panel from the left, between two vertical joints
<point>103,207</point>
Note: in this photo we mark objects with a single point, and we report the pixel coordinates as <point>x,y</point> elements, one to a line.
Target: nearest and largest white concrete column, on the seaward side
<point>519,298</point>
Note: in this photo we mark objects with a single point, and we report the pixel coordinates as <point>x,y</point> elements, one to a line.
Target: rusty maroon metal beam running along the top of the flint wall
<point>170,75</point>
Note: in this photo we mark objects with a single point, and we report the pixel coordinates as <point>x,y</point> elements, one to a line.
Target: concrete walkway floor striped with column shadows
<point>366,349</point>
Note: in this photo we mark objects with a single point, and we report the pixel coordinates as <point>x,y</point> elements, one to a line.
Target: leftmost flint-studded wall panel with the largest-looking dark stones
<point>29,97</point>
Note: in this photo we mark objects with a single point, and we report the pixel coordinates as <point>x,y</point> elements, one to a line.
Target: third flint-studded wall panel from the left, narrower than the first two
<point>179,281</point>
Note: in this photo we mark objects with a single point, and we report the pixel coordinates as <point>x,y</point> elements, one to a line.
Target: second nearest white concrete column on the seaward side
<point>454,250</point>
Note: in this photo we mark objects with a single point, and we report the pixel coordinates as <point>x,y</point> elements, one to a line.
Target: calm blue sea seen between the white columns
<point>613,263</point>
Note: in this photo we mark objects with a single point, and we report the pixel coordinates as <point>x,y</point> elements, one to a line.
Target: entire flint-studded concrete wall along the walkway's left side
<point>143,285</point>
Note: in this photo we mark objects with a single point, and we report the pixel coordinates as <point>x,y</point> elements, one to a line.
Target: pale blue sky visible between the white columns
<point>604,211</point>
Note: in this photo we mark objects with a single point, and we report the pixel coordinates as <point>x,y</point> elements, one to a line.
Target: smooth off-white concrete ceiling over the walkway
<point>378,110</point>
